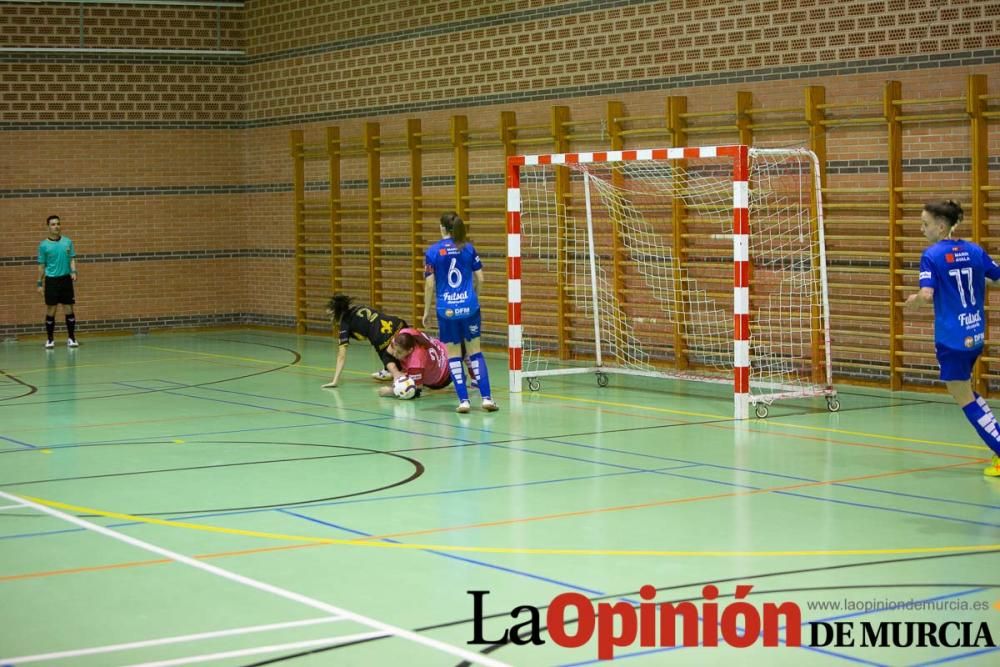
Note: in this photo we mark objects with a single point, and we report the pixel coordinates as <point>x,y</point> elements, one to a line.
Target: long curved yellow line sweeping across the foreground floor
<point>367,542</point>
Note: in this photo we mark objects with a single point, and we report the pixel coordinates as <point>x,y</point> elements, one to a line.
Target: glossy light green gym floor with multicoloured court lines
<point>196,498</point>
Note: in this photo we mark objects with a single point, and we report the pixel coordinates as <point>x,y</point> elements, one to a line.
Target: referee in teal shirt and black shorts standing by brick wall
<point>56,275</point>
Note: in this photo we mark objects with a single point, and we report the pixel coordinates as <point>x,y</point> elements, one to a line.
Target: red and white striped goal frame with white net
<point>704,264</point>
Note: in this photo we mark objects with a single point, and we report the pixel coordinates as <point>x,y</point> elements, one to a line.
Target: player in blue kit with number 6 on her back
<point>452,277</point>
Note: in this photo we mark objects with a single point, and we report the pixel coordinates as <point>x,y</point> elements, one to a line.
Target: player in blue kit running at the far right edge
<point>953,275</point>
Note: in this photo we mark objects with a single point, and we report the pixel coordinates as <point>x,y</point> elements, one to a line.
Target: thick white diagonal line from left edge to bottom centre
<point>470,656</point>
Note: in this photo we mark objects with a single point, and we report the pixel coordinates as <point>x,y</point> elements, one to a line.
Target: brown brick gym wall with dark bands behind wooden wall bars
<point>196,144</point>
